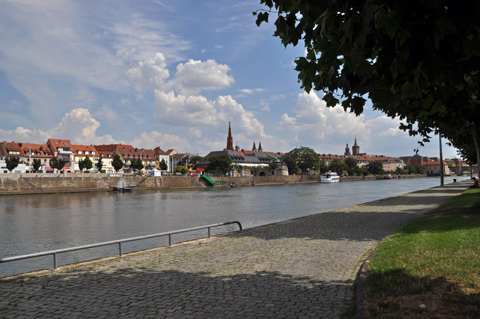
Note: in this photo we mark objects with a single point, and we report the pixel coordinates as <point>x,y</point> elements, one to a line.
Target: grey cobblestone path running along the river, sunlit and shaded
<point>301,268</point>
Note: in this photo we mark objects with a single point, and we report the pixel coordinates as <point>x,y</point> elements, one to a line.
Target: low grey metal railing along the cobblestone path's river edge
<point>113,242</point>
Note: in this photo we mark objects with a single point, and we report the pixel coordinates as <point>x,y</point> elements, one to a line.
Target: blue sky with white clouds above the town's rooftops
<point>169,74</point>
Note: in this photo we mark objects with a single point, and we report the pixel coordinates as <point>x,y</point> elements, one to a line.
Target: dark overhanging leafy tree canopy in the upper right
<point>419,64</point>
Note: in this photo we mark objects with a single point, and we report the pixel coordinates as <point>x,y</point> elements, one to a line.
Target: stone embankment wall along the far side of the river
<point>57,183</point>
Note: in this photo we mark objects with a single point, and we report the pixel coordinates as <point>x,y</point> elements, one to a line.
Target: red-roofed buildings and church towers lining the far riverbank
<point>256,158</point>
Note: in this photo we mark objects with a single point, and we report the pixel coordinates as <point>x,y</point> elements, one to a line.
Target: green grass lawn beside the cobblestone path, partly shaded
<point>431,267</point>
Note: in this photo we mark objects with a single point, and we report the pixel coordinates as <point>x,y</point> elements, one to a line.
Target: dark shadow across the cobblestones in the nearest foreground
<point>145,292</point>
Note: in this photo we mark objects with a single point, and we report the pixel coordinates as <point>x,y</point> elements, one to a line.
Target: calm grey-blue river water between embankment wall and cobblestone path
<point>36,223</point>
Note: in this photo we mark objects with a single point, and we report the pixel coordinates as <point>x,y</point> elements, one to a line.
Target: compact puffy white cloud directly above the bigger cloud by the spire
<point>195,76</point>
